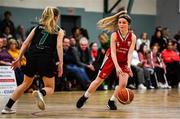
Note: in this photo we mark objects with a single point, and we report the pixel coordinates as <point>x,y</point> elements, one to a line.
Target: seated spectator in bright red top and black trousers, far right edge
<point>172,61</point>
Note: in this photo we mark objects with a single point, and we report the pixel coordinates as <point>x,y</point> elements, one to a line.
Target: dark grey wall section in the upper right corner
<point>168,15</point>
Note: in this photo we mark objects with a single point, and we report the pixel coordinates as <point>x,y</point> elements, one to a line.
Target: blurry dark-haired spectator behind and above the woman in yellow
<point>20,35</point>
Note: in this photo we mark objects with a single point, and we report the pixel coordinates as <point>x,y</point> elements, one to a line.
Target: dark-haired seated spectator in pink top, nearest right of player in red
<point>145,60</point>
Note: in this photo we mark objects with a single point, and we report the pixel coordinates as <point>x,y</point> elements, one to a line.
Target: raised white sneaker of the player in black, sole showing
<point>39,98</point>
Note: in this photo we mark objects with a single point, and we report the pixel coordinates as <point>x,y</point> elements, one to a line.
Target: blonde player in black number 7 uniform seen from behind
<point>42,42</point>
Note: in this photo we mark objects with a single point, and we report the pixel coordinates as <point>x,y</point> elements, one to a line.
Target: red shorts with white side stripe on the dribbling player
<point>108,66</point>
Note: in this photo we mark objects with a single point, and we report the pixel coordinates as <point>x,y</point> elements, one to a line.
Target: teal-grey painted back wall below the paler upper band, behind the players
<point>27,17</point>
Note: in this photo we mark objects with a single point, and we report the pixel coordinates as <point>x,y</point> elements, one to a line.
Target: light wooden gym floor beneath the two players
<point>149,104</point>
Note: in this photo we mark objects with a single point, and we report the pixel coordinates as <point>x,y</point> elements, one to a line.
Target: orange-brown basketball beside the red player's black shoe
<point>125,95</point>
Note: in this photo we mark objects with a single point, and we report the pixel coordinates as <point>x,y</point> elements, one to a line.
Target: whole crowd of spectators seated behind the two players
<point>153,63</point>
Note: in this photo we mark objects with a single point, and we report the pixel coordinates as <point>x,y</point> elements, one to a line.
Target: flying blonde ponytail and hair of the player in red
<point>111,23</point>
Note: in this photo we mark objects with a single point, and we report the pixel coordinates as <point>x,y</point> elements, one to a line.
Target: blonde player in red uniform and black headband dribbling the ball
<point>118,56</point>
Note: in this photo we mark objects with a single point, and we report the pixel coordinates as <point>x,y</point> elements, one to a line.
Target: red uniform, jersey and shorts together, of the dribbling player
<point>122,49</point>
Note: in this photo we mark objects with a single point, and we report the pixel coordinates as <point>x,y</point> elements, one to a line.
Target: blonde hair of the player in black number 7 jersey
<point>48,19</point>
